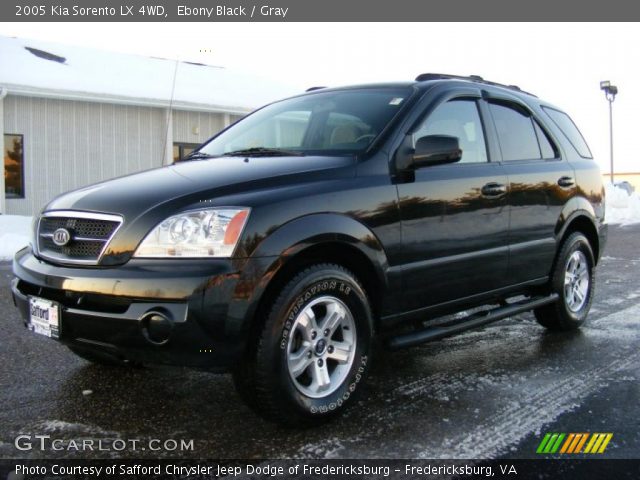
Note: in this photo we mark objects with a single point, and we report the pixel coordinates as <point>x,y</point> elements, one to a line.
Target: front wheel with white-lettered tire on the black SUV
<point>313,351</point>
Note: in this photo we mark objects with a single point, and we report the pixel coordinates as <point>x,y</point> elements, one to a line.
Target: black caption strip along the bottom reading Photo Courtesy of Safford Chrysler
<point>336,469</point>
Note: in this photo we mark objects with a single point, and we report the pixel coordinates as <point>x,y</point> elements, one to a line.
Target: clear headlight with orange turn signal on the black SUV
<point>198,233</point>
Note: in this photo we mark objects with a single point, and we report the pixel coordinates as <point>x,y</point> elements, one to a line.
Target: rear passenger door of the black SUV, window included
<point>541,182</point>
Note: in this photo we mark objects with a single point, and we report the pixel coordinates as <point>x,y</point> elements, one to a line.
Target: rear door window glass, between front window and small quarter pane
<point>516,133</point>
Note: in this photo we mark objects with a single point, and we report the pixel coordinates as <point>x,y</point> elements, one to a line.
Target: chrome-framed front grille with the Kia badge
<point>89,234</point>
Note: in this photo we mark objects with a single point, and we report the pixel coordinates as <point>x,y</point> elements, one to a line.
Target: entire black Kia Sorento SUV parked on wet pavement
<point>285,244</point>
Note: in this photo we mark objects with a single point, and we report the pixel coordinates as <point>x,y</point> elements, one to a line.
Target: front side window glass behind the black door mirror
<point>457,118</point>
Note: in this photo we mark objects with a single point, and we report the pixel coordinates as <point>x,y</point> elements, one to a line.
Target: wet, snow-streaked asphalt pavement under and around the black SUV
<point>489,393</point>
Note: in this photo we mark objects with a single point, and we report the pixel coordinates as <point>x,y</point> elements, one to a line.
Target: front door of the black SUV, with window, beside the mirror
<point>454,217</point>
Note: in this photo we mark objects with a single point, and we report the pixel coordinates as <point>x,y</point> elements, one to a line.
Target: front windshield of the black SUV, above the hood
<point>344,121</point>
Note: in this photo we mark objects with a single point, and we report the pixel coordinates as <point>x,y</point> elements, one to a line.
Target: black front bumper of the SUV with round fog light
<point>107,309</point>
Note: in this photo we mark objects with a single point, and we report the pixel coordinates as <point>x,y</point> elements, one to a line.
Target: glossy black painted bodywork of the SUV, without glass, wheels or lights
<point>427,241</point>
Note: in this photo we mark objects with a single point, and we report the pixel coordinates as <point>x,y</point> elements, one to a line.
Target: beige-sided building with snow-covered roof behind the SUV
<point>72,116</point>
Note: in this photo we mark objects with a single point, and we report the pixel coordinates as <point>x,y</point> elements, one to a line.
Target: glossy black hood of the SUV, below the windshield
<point>146,198</point>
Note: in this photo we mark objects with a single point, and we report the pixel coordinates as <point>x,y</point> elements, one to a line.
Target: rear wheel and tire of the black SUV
<point>573,279</point>
